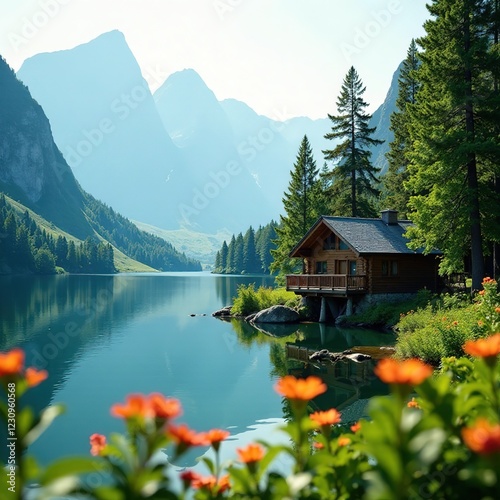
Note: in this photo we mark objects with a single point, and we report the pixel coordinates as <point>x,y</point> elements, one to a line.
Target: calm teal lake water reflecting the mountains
<point>103,337</point>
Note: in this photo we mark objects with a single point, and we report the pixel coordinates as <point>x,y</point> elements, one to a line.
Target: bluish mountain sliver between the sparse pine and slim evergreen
<point>381,119</point>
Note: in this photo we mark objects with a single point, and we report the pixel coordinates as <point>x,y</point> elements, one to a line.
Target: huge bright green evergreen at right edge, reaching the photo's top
<point>455,154</point>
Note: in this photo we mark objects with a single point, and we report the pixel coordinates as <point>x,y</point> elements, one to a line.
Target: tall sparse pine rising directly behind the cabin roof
<point>352,156</point>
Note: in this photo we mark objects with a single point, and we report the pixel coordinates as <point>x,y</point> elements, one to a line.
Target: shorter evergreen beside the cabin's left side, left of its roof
<point>300,203</point>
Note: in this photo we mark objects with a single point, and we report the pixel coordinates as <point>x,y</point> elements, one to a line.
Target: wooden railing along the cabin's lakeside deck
<point>341,283</point>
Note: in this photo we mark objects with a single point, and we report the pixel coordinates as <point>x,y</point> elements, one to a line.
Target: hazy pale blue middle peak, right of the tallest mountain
<point>215,190</point>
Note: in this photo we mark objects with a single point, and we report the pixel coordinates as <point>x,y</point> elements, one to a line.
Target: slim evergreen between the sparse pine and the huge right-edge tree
<point>395,195</point>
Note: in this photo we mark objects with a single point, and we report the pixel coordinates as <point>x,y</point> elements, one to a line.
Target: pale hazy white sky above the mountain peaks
<point>284,58</point>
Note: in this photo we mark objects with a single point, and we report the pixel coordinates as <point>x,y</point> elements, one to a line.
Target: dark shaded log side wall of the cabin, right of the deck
<point>414,272</point>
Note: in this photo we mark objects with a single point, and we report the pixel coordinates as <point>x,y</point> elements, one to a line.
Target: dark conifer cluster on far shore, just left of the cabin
<point>248,254</point>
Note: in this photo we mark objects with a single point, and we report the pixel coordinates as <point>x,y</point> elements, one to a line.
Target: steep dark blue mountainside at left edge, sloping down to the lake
<point>35,175</point>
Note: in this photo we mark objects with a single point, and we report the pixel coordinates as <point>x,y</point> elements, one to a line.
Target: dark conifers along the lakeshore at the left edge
<point>28,248</point>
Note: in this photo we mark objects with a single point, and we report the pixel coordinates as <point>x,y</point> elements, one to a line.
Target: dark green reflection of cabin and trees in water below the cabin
<point>350,384</point>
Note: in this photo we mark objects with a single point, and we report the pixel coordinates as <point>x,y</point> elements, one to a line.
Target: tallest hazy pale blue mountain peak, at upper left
<point>105,123</point>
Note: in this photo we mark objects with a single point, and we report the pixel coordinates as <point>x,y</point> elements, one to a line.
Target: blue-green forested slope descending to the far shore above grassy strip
<point>139,245</point>
